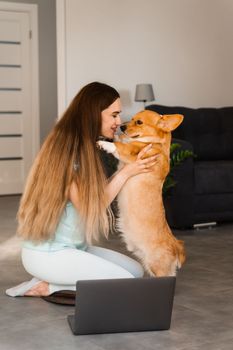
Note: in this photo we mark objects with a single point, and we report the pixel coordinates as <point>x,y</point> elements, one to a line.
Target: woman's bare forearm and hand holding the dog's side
<point>140,166</point>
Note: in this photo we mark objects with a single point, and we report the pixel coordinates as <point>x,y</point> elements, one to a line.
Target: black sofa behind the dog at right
<point>204,190</point>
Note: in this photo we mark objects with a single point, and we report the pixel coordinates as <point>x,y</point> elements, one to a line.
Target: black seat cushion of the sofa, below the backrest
<point>212,177</point>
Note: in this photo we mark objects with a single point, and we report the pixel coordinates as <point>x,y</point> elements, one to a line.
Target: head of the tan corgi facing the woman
<point>151,125</point>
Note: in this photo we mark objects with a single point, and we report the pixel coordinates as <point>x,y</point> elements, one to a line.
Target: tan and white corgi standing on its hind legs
<point>142,220</point>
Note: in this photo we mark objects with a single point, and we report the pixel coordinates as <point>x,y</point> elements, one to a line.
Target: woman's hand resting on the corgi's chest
<point>141,165</point>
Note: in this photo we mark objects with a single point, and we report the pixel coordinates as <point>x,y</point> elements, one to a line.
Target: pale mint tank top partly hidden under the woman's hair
<point>69,233</point>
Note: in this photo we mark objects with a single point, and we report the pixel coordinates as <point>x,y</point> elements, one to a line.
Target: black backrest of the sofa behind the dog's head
<point>209,130</point>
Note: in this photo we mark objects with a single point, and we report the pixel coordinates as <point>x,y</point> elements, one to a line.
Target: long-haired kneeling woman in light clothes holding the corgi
<point>65,205</point>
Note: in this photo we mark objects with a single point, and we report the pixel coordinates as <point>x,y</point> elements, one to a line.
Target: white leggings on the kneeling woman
<point>63,268</point>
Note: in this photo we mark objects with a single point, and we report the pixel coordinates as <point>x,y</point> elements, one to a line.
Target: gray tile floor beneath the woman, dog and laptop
<point>203,306</point>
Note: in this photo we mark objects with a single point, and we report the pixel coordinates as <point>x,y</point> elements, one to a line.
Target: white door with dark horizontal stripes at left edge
<point>16,117</point>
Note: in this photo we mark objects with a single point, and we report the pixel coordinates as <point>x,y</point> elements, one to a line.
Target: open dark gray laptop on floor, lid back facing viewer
<point>123,305</point>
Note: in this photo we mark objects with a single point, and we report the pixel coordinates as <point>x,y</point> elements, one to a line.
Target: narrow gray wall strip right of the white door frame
<point>47,62</point>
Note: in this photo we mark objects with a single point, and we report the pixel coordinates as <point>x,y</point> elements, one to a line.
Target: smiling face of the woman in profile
<point>111,119</point>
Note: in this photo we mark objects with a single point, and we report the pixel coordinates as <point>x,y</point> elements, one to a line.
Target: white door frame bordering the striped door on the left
<point>31,9</point>
